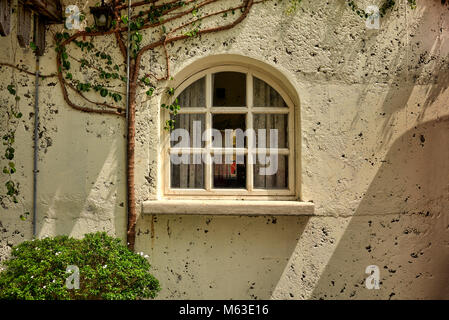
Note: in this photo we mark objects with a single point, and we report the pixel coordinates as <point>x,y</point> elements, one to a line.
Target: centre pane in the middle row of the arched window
<point>223,122</point>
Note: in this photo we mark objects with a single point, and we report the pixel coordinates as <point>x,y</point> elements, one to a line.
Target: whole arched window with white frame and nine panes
<point>233,137</point>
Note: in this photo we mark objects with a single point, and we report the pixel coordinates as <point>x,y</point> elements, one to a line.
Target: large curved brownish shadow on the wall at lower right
<point>401,225</point>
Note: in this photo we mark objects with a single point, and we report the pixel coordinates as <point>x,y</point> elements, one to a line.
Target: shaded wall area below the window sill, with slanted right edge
<point>200,257</point>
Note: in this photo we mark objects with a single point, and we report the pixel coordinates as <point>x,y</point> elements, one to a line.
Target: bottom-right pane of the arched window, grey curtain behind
<point>271,172</point>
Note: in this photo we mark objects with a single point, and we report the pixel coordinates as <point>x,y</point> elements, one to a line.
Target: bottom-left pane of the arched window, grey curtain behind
<point>188,175</point>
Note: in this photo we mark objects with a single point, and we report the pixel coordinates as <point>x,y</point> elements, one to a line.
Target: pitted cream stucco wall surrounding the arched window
<point>374,160</point>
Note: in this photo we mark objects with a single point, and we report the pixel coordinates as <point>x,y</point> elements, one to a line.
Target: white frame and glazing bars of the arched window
<point>290,193</point>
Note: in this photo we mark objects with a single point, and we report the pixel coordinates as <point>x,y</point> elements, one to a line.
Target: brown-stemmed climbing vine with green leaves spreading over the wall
<point>97,77</point>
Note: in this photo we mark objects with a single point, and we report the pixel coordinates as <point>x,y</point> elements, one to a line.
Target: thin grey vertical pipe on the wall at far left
<point>36,141</point>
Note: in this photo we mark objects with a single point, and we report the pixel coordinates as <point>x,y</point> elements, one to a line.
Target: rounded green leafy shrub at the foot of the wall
<point>107,270</point>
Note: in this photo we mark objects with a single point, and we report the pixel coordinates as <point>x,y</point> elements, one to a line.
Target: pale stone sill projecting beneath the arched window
<point>228,207</point>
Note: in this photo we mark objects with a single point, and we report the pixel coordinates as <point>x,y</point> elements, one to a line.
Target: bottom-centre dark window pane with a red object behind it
<point>229,171</point>
